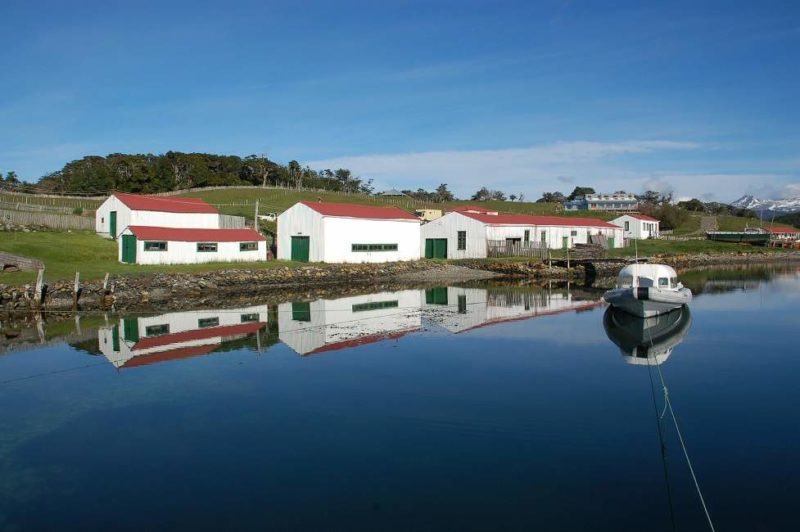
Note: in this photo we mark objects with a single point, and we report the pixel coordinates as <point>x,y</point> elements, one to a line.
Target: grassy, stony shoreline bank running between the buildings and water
<point>183,286</point>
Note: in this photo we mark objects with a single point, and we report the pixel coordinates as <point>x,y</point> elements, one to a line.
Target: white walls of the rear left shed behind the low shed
<point>126,217</point>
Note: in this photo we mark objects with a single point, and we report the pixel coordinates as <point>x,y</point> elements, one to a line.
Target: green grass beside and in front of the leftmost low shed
<point>65,253</point>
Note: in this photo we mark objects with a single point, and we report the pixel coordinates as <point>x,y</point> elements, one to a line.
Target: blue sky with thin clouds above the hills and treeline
<point>698,98</point>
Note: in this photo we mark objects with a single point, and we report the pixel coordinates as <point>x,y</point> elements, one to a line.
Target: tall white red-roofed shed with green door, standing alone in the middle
<point>318,231</point>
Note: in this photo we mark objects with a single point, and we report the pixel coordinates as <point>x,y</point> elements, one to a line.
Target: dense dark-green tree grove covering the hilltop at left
<point>148,173</point>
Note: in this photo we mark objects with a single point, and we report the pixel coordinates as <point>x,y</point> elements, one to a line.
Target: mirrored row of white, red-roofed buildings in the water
<point>323,325</point>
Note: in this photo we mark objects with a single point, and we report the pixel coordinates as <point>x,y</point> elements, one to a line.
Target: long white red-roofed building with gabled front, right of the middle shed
<point>466,232</point>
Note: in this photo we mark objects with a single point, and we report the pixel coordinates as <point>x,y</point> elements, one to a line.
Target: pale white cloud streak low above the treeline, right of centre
<point>528,170</point>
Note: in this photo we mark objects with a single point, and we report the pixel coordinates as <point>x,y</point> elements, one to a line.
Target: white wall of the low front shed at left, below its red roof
<point>186,253</point>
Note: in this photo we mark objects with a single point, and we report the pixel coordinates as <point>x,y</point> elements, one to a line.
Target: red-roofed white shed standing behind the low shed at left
<point>121,210</point>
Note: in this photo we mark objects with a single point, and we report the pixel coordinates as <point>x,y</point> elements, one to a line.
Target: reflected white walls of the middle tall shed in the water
<point>334,321</point>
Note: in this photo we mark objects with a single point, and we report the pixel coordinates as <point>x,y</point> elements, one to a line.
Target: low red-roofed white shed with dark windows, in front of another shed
<point>167,245</point>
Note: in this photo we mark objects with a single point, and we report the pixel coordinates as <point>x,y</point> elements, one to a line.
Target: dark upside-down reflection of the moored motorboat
<point>647,340</point>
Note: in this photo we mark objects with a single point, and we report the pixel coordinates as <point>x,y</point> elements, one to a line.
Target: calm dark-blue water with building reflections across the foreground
<point>482,408</point>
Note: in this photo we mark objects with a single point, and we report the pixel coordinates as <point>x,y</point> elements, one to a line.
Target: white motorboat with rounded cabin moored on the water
<point>647,290</point>
